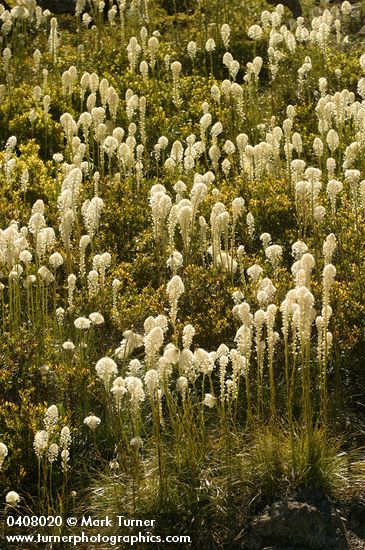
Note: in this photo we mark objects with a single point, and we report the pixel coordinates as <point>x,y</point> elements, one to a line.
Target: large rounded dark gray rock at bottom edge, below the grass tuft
<point>293,525</point>
